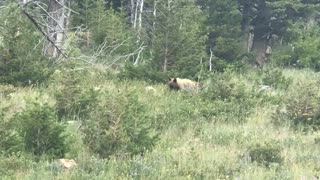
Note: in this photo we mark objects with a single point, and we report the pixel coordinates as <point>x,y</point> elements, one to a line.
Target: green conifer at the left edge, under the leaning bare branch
<point>20,62</point>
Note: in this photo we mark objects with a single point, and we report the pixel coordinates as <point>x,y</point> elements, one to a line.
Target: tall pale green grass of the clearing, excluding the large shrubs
<point>200,135</point>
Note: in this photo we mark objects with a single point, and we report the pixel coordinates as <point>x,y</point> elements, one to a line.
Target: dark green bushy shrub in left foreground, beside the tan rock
<point>42,134</point>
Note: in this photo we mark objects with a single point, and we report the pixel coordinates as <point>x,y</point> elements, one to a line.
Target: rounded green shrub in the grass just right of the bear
<point>230,100</point>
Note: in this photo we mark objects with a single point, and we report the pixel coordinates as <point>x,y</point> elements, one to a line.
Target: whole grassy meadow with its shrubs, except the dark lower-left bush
<point>227,130</point>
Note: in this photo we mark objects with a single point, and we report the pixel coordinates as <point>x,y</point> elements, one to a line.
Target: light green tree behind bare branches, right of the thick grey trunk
<point>109,36</point>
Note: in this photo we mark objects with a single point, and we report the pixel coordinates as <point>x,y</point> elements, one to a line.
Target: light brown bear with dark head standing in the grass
<point>182,84</point>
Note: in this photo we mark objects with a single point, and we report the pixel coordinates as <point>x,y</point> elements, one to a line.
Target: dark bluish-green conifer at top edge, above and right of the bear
<point>223,27</point>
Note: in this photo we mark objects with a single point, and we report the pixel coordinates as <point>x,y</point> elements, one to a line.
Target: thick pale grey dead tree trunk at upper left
<point>56,28</point>
